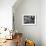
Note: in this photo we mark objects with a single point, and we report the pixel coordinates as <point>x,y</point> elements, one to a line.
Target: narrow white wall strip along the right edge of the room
<point>43,22</point>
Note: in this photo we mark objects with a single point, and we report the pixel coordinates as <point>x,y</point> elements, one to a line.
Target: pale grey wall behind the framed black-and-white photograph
<point>32,32</point>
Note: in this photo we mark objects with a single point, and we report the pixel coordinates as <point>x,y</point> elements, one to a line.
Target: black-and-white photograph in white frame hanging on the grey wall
<point>29,19</point>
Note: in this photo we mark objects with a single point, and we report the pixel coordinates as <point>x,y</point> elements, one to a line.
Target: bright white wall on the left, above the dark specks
<point>6,13</point>
